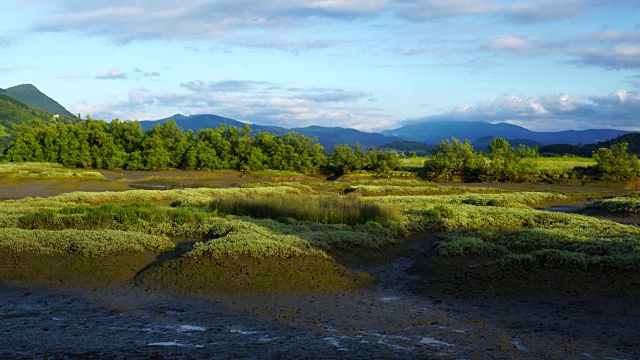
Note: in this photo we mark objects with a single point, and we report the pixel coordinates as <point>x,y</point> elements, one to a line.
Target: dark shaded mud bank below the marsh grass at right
<point>475,278</point>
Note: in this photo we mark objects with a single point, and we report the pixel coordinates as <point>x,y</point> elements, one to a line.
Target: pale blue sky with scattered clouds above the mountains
<point>366,64</point>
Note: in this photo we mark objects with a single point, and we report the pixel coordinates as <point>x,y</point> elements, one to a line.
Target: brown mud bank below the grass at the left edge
<point>71,270</point>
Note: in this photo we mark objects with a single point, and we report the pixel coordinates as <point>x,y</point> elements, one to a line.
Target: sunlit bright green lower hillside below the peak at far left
<point>14,114</point>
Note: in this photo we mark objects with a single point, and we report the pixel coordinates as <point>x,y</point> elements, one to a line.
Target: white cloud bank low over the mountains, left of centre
<point>253,101</point>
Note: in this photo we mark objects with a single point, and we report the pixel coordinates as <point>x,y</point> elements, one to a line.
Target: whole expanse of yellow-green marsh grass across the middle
<point>290,219</point>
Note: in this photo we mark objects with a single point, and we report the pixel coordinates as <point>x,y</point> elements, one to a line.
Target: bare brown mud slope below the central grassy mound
<point>250,275</point>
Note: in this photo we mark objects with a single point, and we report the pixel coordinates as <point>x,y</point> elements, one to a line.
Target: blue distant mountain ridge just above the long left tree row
<point>327,136</point>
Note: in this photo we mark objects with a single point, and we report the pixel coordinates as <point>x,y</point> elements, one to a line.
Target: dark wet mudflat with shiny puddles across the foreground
<point>410,313</point>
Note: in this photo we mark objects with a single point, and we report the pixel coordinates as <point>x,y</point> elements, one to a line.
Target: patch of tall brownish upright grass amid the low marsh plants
<point>319,209</point>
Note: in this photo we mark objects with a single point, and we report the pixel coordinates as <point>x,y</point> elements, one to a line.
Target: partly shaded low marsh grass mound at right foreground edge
<point>560,241</point>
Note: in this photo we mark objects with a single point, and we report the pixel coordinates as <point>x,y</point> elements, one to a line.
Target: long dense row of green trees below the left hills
<point>124,144</point>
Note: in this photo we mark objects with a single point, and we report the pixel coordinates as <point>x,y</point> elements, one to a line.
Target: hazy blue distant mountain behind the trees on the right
<point>436,131</point>
